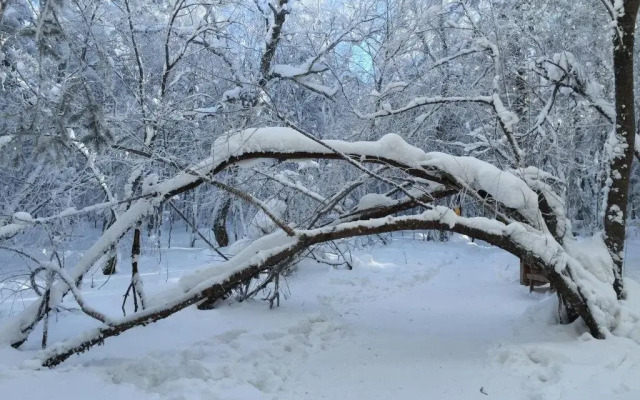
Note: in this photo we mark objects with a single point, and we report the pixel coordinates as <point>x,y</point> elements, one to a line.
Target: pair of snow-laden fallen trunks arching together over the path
<point>520,227</point>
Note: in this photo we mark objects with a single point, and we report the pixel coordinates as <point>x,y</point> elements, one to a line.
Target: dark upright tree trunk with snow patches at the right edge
<point>621,142</point>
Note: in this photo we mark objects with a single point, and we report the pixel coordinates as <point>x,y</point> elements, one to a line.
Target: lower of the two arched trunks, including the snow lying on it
<point>214,282</point>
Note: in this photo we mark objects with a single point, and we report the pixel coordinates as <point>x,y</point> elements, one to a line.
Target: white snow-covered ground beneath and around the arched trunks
<point>412,320</point>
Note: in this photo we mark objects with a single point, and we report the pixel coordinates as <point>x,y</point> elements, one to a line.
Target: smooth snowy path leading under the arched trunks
<point>426,334</point>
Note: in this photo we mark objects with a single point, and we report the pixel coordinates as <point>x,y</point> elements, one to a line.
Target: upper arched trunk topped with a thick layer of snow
<point>285,143</point>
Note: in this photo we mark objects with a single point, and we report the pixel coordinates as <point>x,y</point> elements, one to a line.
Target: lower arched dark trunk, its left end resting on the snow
<point>560,272</point>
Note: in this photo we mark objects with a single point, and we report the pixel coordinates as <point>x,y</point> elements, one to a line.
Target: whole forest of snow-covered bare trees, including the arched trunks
<point>300,124</point>
